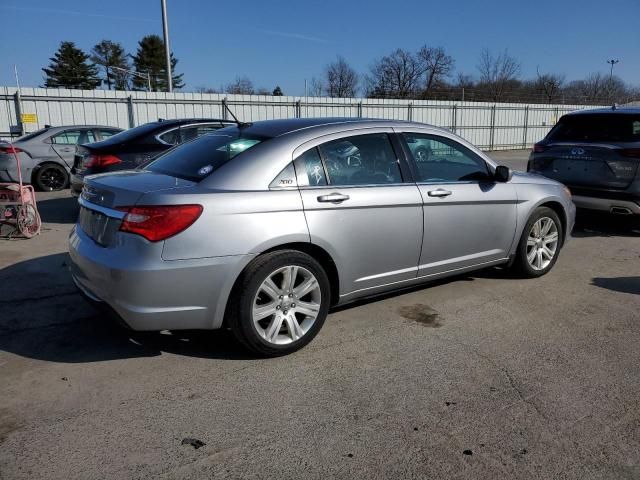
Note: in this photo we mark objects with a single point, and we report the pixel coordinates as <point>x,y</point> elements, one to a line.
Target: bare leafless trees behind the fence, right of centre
<point>429,73</point>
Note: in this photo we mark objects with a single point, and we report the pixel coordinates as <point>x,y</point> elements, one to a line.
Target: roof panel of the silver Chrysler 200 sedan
<point>277,128</point>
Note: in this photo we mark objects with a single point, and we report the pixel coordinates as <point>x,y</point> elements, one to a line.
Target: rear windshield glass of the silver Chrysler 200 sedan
<point>197,159</point>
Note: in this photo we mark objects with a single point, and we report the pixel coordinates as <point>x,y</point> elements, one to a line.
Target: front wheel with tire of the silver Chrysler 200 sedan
<point>540,243</point>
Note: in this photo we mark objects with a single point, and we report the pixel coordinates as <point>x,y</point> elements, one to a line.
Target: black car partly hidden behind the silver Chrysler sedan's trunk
<point>133,147</point>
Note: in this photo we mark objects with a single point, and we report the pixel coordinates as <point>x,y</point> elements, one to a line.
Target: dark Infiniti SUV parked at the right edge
<point>595,153</point>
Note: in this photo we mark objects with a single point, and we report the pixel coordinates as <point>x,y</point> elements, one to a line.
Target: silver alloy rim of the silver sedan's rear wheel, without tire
<point>286,305</point>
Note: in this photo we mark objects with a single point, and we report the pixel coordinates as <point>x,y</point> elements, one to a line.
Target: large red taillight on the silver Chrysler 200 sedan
<point>157,223</point>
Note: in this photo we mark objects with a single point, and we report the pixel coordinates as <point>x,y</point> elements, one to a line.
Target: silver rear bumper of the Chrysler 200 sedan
<point>153,294</point>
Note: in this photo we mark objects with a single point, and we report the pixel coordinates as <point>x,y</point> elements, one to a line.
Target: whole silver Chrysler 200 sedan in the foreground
<point>263,227</point>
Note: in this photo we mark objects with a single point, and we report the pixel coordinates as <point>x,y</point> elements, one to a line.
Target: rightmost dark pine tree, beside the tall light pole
<point>150,59</point>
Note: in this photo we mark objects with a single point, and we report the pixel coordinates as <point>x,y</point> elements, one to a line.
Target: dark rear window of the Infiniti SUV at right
<point>597,128</point>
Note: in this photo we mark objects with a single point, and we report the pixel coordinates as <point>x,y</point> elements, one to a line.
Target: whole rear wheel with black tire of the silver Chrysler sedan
<point>279,303</point>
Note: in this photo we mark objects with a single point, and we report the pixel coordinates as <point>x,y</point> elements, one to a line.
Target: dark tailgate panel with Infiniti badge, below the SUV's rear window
<point>586,165</point>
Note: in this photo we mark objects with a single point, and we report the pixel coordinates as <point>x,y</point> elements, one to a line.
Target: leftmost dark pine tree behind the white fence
<point>69,69</point>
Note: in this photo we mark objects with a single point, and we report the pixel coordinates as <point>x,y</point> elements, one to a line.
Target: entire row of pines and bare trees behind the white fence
<point>427,73</point>
